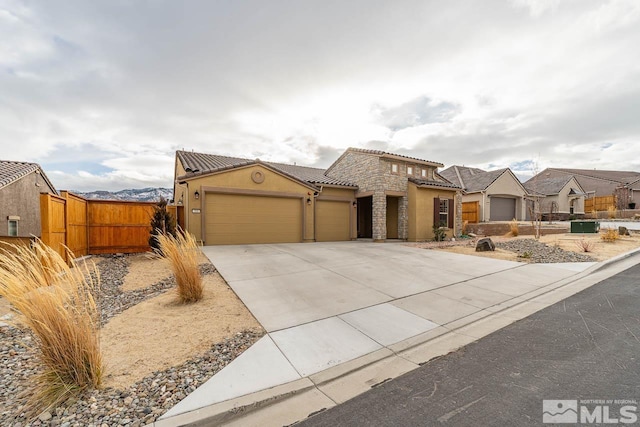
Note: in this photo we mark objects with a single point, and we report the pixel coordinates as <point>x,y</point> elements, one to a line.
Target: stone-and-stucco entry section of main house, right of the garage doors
<point>399,197</point>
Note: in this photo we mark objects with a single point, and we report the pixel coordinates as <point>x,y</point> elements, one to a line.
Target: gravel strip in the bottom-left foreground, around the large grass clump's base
<point>138,405</point>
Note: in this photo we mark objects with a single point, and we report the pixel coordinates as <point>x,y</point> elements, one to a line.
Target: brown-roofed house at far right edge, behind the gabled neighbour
<point>601,183</point>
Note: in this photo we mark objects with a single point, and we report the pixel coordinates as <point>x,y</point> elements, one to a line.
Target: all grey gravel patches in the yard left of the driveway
<point>137,405</point>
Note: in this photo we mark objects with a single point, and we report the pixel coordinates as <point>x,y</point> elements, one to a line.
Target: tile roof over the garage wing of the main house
<point>200,163</point>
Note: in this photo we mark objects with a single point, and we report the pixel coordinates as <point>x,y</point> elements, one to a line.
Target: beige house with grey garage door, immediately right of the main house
<point>499,194</point>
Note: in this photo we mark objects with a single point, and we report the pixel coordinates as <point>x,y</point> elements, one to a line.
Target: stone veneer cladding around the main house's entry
<point>372,173</point>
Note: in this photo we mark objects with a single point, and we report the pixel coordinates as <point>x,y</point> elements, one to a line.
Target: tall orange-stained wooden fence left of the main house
<point>95,226</point>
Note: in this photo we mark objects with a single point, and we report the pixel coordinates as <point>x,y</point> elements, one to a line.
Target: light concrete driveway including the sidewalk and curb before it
<point>331,309</point>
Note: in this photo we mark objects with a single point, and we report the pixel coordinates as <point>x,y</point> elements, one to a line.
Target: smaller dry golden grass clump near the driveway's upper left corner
<point>182,253</point>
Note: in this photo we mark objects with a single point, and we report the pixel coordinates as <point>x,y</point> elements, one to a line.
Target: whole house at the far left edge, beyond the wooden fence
<point>20,186</point>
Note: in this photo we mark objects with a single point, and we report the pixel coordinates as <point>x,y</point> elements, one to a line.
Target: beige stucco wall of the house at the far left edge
<point>22,198</point>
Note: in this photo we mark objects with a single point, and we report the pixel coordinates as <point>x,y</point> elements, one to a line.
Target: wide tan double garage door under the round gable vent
<point>233,219</point>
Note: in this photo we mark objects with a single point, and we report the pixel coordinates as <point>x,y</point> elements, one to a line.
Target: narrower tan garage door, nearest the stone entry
<point>332,220</point>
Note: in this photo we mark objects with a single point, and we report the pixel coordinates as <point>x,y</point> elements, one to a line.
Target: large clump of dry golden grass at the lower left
<point>57,305</point>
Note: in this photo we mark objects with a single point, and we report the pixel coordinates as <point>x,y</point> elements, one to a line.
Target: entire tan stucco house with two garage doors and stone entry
<point>365,193</point>
